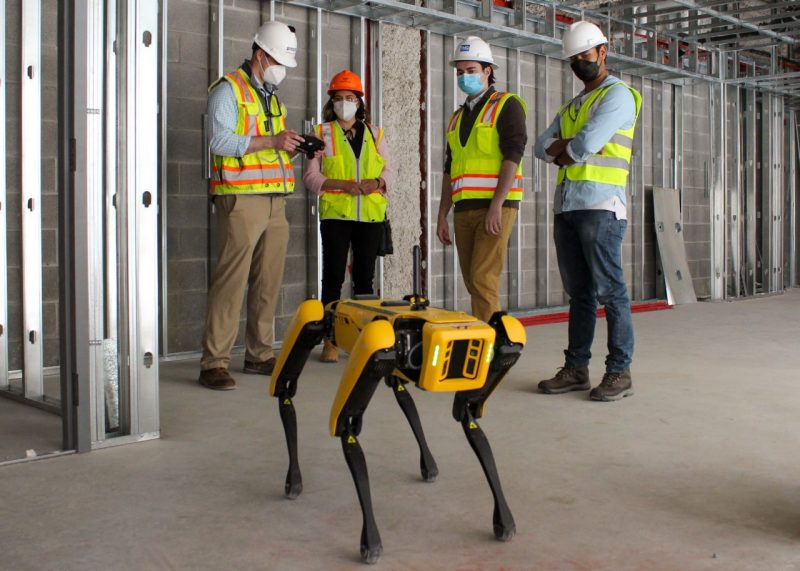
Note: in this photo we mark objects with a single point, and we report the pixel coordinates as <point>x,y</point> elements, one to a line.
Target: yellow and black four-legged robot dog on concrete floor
<point>400,341</point>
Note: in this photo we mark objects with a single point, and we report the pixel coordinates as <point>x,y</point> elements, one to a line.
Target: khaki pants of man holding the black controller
<point>253,236</point>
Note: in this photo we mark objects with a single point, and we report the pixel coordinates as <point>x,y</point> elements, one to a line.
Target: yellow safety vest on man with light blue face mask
<point>475,167</point>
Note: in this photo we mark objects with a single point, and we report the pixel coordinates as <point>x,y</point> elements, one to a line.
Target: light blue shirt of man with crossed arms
<point>616,111</point>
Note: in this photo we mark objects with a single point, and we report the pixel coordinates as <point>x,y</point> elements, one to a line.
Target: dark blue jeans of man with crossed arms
<point>589,249</point>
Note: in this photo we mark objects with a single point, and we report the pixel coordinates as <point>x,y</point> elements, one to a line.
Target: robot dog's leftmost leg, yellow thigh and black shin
<point>304,333</point>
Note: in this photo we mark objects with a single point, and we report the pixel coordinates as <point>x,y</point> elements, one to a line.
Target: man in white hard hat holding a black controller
<point>251,176</point>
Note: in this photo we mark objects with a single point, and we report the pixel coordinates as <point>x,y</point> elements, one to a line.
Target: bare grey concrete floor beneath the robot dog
<point>698,470</point>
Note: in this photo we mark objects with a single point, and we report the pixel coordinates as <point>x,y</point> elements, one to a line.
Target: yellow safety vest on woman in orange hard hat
<point>340,163</point>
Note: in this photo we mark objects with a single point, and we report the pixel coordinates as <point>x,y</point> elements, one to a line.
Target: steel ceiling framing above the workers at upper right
<point>677,41</point>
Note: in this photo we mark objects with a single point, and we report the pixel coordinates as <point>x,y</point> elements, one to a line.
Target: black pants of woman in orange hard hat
<point>337,238</point>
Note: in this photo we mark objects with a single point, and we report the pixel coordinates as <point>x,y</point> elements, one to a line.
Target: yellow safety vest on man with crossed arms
<point>612,163</point>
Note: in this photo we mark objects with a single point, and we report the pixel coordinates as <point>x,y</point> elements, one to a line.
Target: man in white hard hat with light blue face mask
<point>486,140</point>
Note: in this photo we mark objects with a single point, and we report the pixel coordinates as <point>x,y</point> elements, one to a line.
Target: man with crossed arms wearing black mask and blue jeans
<point>591,140</point>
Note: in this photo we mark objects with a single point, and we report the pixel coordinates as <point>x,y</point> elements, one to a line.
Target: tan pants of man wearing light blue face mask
<point>482,257</point>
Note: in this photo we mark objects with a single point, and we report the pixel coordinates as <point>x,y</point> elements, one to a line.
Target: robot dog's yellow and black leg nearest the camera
<point>371,359</point>
